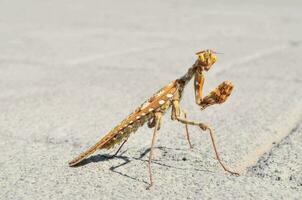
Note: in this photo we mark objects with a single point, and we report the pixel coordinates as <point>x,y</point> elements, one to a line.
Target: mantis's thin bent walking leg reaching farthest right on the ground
<point>204,127</point>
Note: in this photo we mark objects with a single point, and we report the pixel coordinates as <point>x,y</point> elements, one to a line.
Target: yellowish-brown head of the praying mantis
<point>206,59</point>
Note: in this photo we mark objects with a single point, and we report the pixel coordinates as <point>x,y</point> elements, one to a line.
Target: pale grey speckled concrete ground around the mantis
<point>71,70</point>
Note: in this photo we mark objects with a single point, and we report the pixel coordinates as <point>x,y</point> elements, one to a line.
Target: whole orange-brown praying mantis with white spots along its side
<point>152,111</point>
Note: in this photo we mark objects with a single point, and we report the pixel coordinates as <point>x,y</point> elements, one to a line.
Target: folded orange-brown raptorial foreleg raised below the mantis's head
<point>217,96</point>
